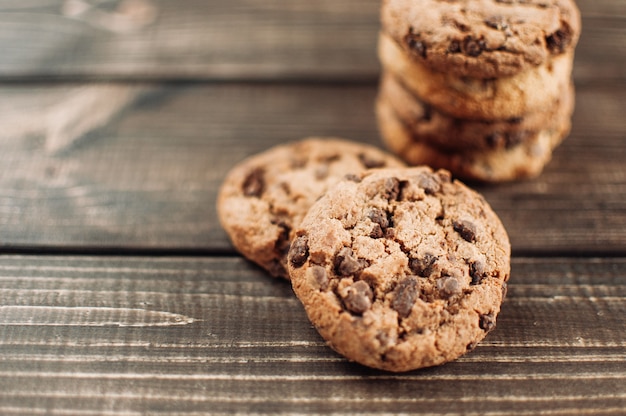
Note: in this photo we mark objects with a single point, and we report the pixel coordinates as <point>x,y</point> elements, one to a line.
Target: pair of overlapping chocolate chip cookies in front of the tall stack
<point>398,268</point>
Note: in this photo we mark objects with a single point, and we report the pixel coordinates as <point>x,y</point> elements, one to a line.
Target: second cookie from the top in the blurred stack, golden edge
<point>533,90</point>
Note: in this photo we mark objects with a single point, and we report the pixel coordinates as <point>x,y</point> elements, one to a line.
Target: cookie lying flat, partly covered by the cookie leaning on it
<point>264,197</point>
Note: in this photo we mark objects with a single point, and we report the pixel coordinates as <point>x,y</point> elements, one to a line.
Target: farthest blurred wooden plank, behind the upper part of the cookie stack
<point>238,39</point>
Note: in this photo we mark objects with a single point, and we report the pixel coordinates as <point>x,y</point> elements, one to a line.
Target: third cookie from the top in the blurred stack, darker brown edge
<point>436,128</point>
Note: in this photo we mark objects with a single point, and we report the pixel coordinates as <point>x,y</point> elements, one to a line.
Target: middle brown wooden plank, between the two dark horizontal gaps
<point>148,178</point>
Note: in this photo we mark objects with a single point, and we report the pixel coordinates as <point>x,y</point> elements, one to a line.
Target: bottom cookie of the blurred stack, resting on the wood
<point>523,161</point>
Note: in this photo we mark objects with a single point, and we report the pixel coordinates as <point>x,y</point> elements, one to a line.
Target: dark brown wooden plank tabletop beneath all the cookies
<point>121,295</point>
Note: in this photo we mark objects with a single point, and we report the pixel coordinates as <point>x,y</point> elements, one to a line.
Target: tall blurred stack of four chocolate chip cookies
<point>482,88</point>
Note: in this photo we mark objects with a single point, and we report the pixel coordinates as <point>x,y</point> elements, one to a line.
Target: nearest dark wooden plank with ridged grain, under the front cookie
<point>107,343</point>
